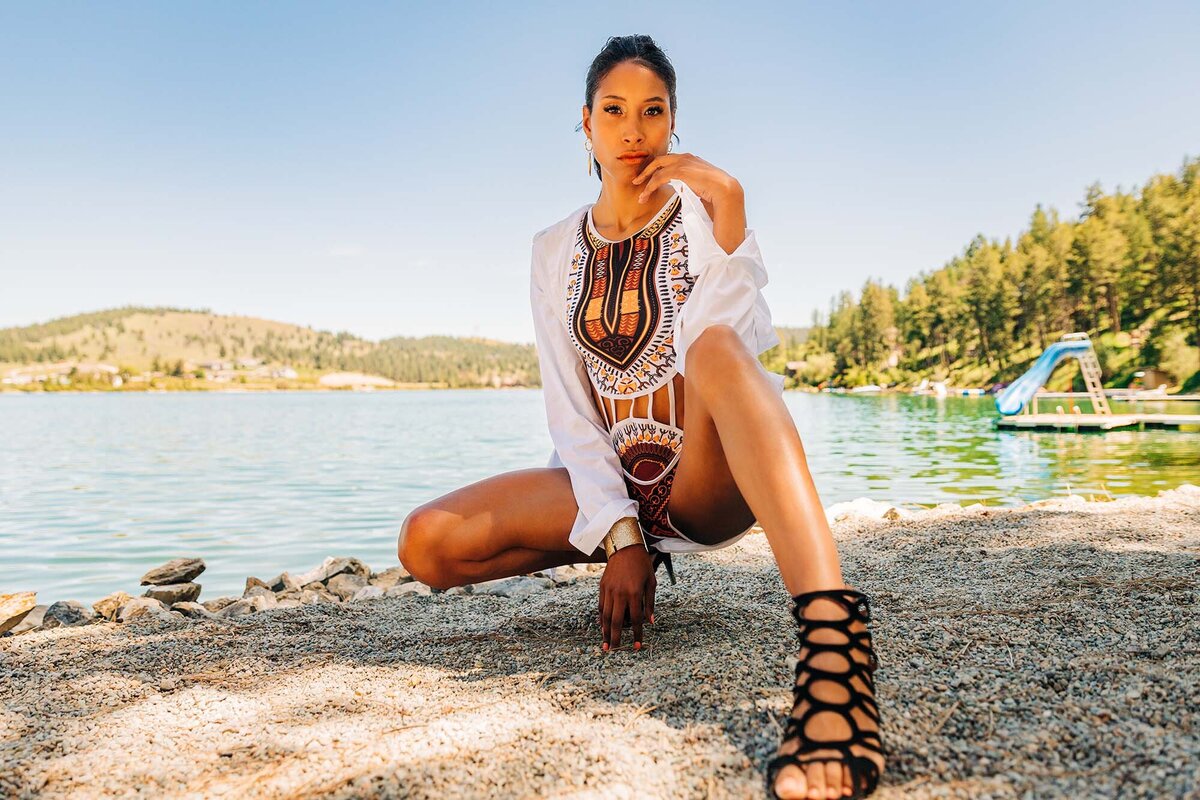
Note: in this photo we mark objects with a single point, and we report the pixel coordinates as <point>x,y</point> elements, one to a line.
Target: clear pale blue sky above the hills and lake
<point>381,169</point>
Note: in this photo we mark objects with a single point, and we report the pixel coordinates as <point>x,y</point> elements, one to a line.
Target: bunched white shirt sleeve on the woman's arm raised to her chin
<point>728,290</point>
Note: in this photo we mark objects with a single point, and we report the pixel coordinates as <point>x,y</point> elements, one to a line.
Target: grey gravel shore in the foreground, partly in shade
<point>1045,652</point>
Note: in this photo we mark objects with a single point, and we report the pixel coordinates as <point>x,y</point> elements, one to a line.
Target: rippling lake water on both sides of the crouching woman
<point>97,489</point>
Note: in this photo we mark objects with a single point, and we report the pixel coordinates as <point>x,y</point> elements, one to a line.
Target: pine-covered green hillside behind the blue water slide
<point>1127,272</point>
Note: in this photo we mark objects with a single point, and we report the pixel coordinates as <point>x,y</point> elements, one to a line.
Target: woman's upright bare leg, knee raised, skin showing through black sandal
<point>742,453</point>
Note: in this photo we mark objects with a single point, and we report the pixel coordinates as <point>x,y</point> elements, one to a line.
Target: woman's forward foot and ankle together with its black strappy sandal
<point>842,676</point>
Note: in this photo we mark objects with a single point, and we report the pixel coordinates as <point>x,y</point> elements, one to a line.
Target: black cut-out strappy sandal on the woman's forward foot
<point>865,774</point>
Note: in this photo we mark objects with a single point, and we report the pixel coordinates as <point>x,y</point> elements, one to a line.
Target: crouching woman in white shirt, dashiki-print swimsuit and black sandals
<point>644,300</point>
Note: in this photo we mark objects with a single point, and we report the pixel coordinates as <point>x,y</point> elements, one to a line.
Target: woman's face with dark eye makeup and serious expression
<point>632,121</point>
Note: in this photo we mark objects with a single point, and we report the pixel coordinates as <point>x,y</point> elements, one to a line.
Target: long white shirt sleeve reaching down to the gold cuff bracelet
<point>581,442</point>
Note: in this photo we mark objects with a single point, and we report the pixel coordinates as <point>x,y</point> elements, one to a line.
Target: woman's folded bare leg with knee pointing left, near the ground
<point>503,526</point>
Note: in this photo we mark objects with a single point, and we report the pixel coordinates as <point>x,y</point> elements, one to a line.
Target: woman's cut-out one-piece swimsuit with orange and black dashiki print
<point>622,302</point>
